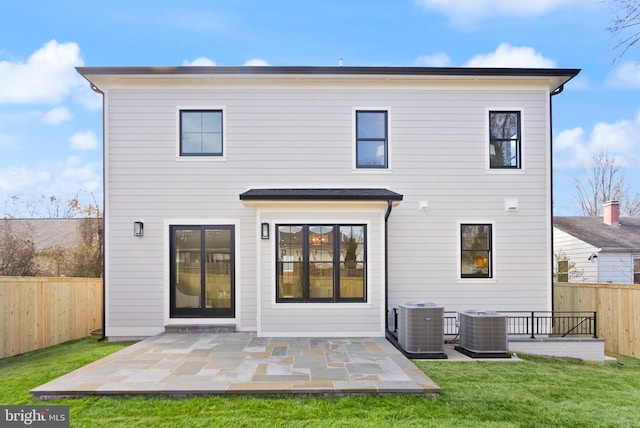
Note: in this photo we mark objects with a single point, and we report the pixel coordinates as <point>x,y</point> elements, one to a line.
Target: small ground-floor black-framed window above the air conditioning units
<point>476,251</point>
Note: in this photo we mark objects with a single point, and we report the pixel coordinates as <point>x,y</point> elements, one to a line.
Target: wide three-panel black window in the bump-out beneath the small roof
<point>321,263</point>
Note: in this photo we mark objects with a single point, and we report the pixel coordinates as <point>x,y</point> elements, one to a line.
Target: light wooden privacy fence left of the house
<point>39,312</point>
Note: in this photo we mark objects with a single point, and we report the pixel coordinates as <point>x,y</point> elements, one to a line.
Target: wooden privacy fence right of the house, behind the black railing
<point>618,308</point>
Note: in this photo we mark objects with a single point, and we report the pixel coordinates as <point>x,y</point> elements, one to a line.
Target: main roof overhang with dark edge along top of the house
<point>102,78</point>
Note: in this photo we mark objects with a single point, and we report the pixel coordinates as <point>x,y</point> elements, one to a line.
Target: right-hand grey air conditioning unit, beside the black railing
<point>483,334</point>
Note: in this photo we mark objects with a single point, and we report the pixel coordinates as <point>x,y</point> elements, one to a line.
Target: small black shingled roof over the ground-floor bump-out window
<point>354,194</point>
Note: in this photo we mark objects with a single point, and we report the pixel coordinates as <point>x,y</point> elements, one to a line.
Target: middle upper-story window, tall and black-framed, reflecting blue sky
<point>372,145</point>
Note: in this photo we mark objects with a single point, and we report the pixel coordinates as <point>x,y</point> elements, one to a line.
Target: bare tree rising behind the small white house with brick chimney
<point>605,182</point>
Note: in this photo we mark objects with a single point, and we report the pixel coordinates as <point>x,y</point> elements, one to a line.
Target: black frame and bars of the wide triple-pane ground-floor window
<point>336,298</point>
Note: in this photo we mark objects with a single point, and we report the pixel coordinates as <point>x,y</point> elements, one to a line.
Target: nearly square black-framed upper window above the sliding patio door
<point>201,133</point>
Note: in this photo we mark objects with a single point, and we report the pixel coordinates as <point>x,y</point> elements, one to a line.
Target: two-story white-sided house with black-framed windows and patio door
<point>308,201</point>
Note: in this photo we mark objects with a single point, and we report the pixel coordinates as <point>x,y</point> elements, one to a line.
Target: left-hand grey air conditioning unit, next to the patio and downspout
<point>421,328</point>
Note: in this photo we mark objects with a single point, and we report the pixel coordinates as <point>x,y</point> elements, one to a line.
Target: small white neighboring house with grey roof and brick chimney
<point>598,249</point>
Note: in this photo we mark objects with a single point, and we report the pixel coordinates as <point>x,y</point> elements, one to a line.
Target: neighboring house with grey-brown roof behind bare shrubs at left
<point>50,236</point>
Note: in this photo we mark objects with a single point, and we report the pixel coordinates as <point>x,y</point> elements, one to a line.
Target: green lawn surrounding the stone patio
<point>538,392</point>
